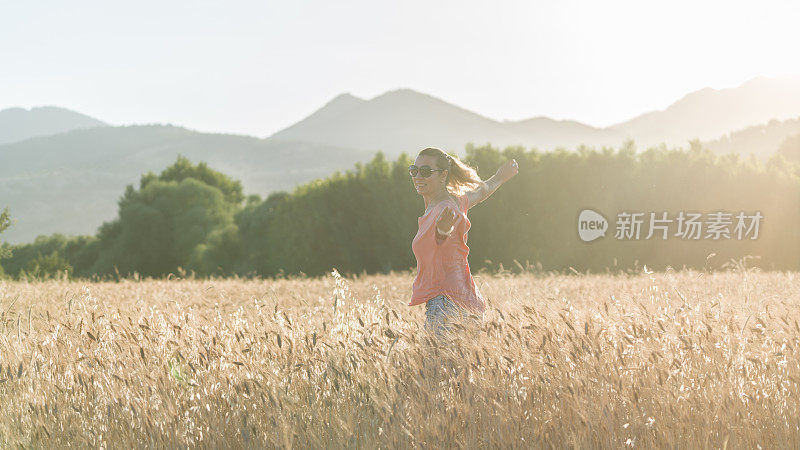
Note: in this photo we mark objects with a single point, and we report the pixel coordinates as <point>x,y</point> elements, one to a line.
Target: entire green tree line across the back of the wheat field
<point>191,218</point>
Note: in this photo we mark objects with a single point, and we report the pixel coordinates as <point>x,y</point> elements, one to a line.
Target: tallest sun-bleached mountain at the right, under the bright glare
<point>709,113</point>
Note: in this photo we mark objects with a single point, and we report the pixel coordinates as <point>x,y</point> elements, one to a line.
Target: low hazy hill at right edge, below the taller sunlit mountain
<point>760,140</point>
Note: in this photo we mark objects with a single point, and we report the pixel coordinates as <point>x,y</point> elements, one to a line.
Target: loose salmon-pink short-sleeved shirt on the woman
<point>443,268</point>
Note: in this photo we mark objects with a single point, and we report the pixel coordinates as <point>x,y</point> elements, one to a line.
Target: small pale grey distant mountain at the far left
<point>17,124</point>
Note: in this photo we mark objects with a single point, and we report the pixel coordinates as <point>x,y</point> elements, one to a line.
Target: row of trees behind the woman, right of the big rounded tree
<point>363,220</point>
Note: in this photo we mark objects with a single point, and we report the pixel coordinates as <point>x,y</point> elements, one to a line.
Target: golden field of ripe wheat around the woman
<point>673,359</point>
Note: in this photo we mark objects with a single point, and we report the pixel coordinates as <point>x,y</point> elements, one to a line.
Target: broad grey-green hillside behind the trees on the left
<point>71,182</point>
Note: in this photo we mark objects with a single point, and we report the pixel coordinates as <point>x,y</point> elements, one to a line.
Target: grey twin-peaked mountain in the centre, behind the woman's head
<point>407,120</point>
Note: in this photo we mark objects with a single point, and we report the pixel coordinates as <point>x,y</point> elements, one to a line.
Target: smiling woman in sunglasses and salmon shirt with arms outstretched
<point>444,282</point>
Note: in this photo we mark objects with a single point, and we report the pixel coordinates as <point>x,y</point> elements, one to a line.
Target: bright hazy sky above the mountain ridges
<point>257,67</point>
